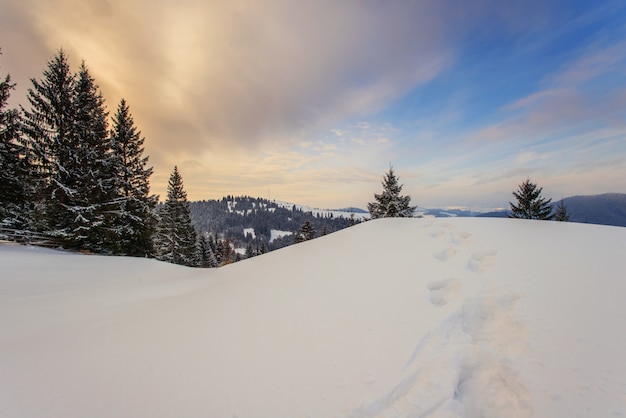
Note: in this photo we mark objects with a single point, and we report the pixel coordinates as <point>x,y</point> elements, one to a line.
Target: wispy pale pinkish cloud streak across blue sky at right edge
<point>585,94</point>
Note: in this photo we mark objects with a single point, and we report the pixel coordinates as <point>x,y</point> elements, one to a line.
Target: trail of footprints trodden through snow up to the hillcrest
<point>474,348</point>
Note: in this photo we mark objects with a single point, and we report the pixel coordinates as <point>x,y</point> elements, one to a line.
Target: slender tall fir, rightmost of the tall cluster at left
<point>136,222</point>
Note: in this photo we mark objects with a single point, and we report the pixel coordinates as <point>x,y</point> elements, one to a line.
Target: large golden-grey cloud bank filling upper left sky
<point>200,75</point>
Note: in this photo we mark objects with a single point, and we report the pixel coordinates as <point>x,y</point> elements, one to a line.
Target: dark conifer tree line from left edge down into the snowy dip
<point>72,177</point>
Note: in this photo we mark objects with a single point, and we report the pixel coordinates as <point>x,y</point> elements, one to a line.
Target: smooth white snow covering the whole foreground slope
<point>447,317</point>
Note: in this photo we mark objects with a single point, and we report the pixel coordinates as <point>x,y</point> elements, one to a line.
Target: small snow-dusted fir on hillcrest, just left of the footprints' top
<point>390,204</point>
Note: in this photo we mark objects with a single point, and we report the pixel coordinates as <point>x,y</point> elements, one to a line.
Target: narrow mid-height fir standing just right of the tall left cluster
<point>176,236</point>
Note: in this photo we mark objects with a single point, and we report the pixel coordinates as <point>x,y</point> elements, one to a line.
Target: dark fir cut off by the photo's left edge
<point>13,164</point>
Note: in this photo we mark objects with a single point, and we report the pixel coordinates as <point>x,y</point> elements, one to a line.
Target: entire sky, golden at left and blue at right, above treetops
<point>311,102</point>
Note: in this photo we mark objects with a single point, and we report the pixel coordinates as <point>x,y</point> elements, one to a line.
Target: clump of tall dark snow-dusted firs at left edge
<point>69,180</point>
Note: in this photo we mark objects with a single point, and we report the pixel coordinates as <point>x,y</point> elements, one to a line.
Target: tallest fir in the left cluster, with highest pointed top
<point>49,127</point>
